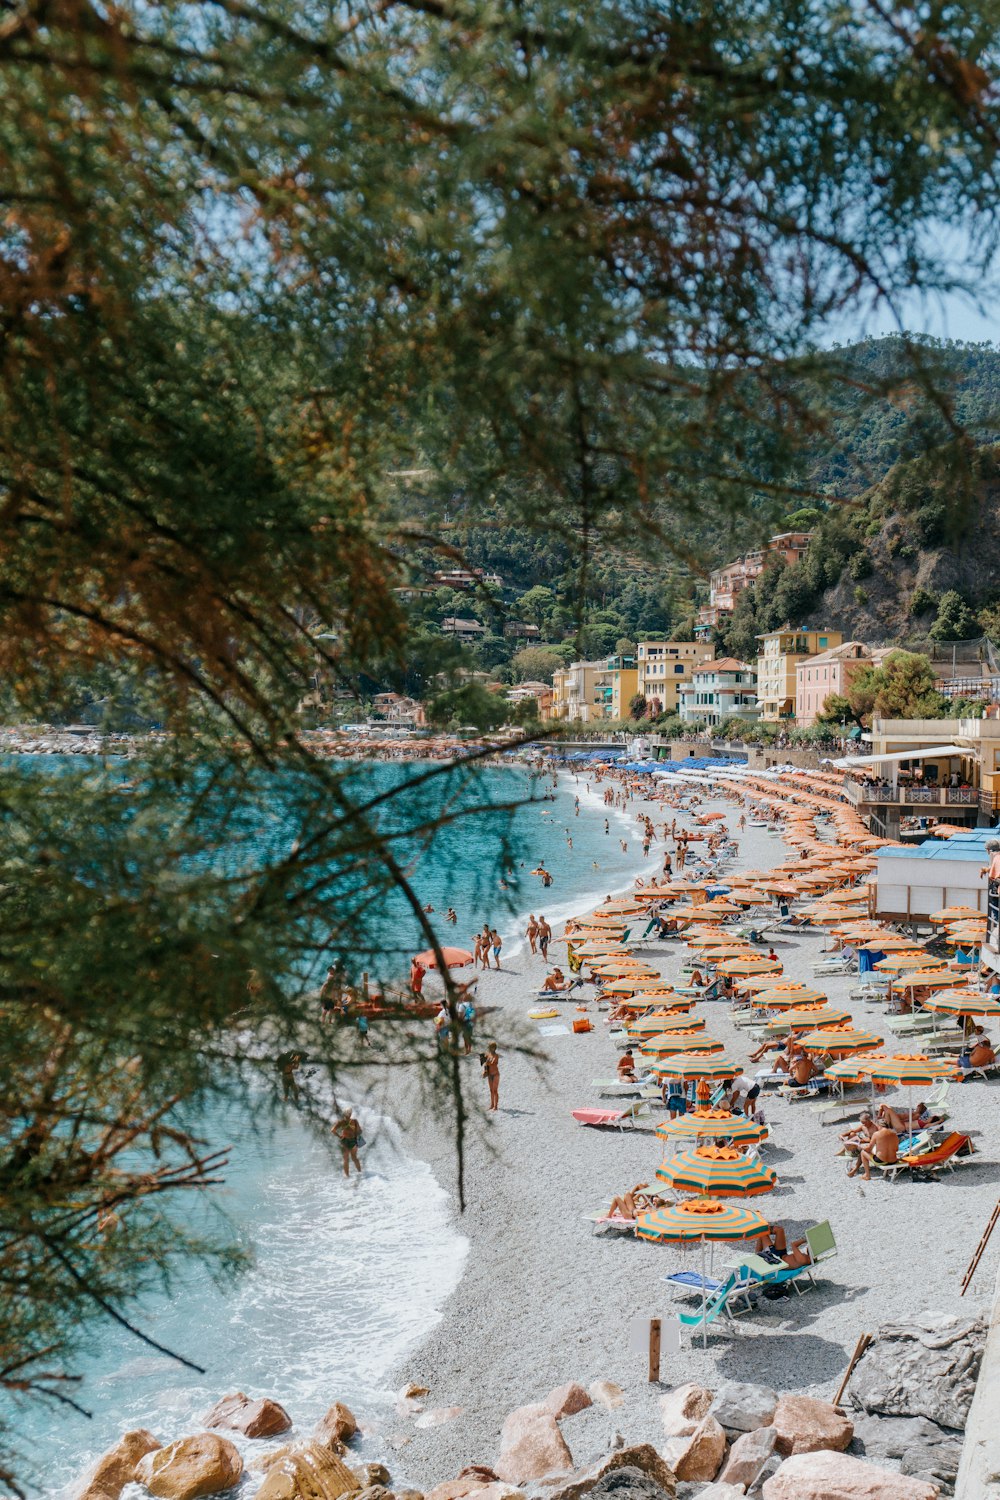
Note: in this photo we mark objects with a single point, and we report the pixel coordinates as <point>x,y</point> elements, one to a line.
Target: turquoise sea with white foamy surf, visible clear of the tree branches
<point>346,1277</point>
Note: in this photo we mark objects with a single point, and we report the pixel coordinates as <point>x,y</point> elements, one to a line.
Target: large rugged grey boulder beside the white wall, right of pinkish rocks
<point>924,1367</point>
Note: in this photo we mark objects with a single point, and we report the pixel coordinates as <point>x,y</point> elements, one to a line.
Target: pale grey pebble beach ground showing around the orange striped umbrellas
<point>545,1300</point>
